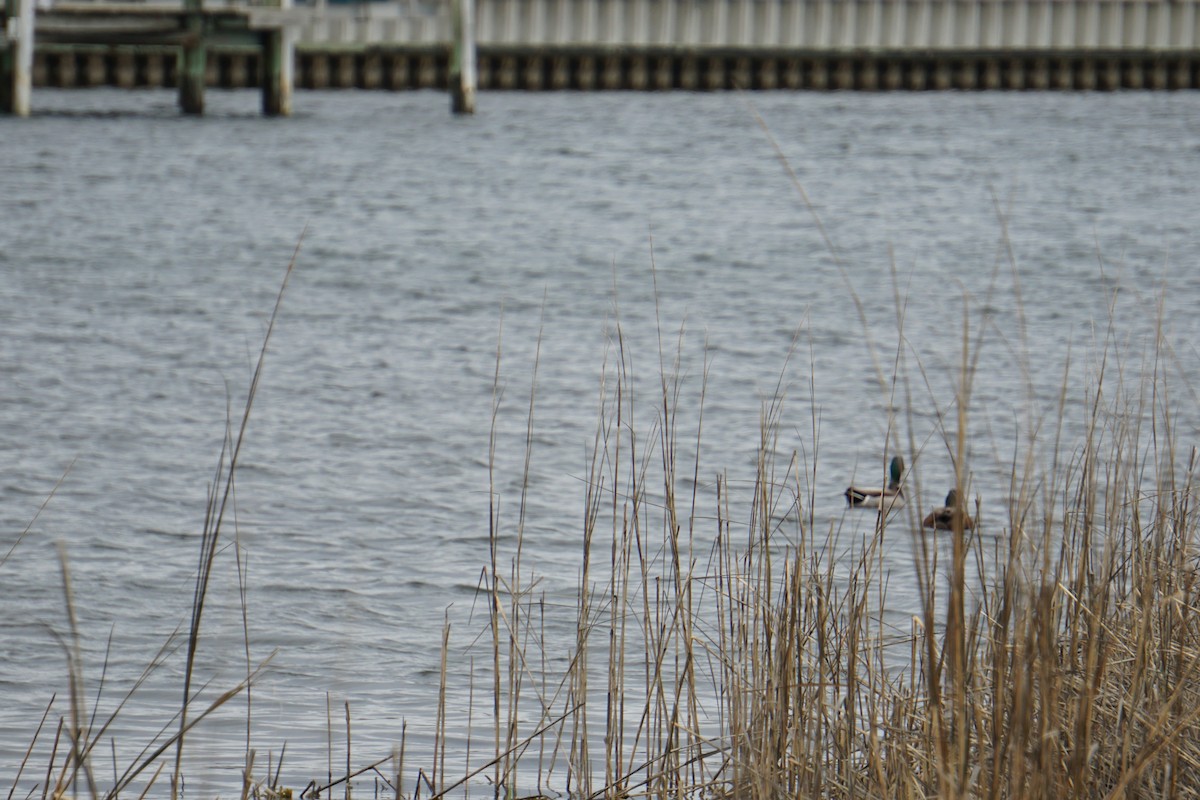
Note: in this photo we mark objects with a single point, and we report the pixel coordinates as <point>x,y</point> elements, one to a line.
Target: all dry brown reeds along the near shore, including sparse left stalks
<point>722,653</point>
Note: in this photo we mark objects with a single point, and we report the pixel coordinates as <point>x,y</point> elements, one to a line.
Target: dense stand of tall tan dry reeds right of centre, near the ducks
<point>1055,654</point>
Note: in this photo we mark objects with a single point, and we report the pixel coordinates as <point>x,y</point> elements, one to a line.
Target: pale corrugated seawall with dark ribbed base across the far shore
<point>698,45</point>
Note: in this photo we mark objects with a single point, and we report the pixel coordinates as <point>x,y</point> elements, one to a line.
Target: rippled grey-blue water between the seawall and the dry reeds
<point>142,252</point>
